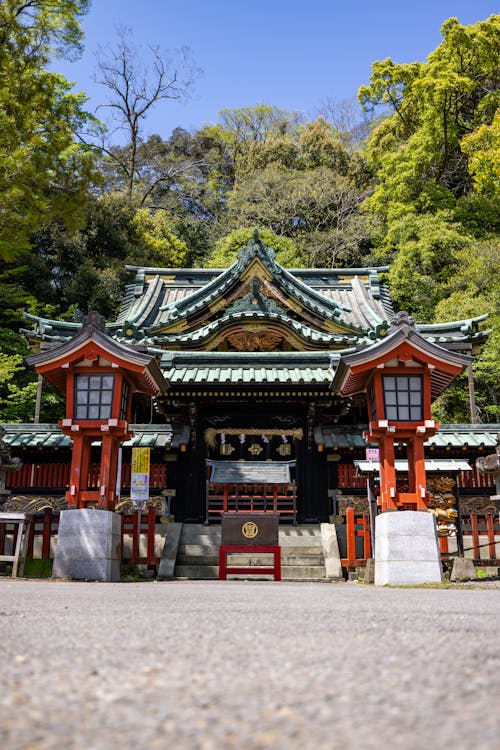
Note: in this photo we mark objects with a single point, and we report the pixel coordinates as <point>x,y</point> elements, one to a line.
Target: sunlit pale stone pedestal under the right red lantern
<point>406,548</point>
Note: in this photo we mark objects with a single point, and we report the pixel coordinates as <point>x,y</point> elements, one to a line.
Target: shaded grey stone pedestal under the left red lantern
<point>88,545</point>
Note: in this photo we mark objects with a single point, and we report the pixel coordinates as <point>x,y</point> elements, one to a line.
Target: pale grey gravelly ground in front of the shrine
<point>214,665</point>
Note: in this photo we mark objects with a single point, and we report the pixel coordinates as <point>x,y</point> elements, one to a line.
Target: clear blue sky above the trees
<point>289,53</point>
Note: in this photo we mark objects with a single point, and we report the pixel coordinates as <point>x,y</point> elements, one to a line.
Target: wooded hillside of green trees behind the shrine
<point>406,175</point>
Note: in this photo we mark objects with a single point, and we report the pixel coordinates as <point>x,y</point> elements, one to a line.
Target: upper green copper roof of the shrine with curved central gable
<point>308,301</point>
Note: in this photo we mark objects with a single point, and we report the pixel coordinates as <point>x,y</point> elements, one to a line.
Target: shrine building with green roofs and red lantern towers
<point>256,387</point>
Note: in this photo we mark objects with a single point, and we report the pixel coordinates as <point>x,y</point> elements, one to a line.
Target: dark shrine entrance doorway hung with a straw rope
<point>262,441</point>
